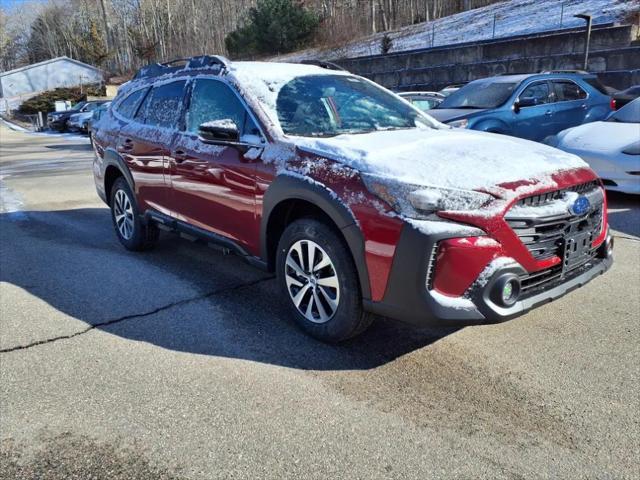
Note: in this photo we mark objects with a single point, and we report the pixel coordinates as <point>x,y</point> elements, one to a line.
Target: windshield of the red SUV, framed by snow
<point>328,105</point>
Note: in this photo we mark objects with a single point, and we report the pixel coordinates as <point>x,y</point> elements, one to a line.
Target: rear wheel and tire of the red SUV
<point>132,232</point>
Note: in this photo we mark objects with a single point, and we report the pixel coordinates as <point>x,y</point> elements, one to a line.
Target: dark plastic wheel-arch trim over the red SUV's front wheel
<point>288,187</point>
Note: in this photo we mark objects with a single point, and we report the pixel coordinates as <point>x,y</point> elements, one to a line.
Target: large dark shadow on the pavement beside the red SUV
<point>180,296</point>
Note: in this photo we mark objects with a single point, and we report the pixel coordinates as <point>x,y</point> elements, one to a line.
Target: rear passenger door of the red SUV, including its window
<point>145,142</point>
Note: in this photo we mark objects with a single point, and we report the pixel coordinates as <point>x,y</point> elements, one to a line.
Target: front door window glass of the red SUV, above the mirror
<point>213,100</point>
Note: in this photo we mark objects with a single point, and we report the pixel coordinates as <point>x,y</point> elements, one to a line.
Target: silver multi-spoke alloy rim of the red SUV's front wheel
<point>312,281</point>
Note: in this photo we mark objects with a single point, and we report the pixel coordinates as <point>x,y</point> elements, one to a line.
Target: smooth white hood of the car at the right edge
<point>599,137</point>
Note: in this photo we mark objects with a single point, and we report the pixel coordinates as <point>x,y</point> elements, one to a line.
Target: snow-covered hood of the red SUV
<point>452,157</point>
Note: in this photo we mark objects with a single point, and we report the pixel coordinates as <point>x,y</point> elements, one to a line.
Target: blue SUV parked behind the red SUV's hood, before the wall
<point>532,106</point>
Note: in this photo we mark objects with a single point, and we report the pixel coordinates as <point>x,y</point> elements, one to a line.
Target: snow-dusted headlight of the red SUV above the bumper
<point>422,202</point>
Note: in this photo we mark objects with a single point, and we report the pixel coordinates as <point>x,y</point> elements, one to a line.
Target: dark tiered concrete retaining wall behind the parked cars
<point>613,56</point>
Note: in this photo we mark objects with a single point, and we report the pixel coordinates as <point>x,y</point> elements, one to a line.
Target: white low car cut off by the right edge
<point>611,147</point>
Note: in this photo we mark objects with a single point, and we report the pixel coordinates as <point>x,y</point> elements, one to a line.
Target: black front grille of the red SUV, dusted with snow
<point>545,234</point>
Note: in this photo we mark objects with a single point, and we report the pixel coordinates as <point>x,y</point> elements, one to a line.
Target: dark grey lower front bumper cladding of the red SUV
<point>408,298</point>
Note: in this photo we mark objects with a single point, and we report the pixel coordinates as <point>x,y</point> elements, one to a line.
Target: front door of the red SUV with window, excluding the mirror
<point>214,185</point>
